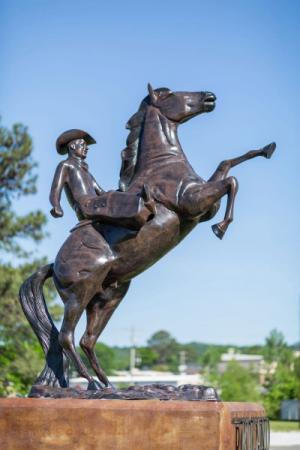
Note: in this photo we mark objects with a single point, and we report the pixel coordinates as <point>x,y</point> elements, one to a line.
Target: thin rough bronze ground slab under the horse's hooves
<point>149,392</point>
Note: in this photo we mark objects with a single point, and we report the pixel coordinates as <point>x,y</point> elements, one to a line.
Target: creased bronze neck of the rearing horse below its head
<point>159,144</point>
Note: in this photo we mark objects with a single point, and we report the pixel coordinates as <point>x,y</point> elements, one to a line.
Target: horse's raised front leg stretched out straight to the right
<point>224,167</point>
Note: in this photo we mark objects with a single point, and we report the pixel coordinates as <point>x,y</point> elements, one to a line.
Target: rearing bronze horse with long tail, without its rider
<point>95,265</point>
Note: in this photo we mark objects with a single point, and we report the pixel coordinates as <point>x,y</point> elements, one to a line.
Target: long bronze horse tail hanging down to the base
<point>35,309</point>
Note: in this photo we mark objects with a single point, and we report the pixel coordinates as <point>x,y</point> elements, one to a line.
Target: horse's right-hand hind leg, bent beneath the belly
<point>99,311</point>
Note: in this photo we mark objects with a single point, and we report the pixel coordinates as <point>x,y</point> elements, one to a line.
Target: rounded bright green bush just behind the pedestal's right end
<point>238,384</point>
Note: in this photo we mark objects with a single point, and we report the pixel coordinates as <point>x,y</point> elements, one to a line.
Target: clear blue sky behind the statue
<point>86,64</point>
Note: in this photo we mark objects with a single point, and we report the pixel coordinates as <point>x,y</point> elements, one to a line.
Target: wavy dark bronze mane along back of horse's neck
<point>130,153</point>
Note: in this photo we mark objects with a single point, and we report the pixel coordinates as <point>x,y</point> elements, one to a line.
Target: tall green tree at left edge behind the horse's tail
<point>20,353</point>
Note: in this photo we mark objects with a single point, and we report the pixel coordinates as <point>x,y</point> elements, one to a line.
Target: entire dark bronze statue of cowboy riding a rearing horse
<point>120,233</point>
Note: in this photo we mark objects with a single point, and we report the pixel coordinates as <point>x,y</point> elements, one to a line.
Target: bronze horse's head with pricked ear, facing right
<point>179,107</point>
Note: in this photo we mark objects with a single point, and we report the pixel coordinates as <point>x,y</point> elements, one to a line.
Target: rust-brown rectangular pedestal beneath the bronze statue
<point>68,424</point>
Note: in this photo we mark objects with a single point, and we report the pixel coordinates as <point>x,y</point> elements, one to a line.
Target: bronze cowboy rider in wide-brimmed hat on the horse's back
<point>85,196</point>
